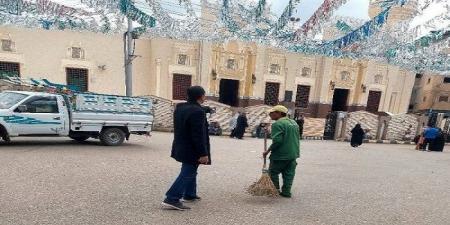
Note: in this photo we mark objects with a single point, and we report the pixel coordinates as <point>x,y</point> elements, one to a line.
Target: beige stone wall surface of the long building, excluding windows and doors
<point>45,54</point>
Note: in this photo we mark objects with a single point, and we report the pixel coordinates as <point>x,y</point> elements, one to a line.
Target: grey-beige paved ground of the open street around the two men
<point>60,182</point>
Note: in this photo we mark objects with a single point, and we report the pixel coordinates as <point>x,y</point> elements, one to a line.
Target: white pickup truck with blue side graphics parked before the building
<point>79,116</point>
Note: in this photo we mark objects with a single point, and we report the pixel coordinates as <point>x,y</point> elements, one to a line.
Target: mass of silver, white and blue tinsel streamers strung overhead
<point>406,45</point>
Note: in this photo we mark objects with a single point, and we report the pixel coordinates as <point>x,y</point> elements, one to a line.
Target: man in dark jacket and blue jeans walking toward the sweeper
<point>190,147</point>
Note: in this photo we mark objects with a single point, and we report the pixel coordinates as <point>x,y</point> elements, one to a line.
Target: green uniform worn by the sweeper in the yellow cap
<point>285,150</point>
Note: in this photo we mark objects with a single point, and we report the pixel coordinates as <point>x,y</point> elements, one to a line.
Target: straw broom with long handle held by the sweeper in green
<point>264,186</point>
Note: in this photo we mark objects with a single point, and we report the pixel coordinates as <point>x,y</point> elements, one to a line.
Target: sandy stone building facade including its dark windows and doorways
<point>234,73</point>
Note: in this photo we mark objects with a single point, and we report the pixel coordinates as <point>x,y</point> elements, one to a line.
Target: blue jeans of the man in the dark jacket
<point>185,185</point>
